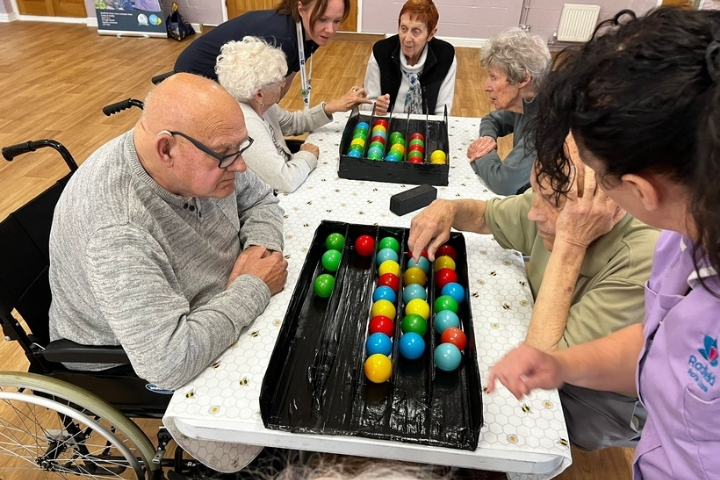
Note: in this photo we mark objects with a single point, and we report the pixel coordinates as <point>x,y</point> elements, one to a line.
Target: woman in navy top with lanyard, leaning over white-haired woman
<point>313,21</point>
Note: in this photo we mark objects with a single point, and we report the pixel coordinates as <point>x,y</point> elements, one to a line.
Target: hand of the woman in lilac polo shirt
<point>525,369</point>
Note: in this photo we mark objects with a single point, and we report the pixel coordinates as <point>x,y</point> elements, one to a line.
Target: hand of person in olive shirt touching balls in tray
<point>431,228</point>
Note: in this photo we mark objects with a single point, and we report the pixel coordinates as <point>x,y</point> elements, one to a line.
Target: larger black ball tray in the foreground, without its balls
<point>315,381</point>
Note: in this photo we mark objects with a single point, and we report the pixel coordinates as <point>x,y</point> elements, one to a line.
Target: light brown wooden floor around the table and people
<point>56,78</point>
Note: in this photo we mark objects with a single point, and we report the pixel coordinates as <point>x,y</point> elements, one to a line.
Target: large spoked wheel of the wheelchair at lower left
<point>52,429</point>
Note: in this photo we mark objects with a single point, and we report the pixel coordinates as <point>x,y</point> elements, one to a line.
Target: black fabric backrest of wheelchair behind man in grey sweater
<point>24,261</point>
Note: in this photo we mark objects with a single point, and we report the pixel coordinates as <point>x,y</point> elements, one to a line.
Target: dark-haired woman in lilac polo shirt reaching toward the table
<point>643,104</point>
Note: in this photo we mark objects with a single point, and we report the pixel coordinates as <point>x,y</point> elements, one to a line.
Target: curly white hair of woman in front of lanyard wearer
<point>246,66</point>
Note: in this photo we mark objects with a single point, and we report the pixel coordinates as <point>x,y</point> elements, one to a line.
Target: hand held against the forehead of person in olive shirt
<point>588,212</point>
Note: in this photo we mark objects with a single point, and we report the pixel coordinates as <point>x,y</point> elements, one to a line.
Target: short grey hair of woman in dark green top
<point>517,53</point>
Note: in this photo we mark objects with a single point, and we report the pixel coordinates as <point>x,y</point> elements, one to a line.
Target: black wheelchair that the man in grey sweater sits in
<point>56,422</point>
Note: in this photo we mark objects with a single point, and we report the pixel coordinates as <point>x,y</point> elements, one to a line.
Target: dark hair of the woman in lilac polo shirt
<point>642,97</point>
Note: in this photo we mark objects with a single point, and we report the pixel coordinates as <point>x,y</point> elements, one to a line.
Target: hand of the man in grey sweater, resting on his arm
<point>268,266</point>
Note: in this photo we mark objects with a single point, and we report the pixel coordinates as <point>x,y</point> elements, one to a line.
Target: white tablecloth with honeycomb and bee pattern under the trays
<point>216,417</point>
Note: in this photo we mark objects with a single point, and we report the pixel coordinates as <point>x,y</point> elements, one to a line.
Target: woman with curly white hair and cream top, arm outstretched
<point>254,73</point>
